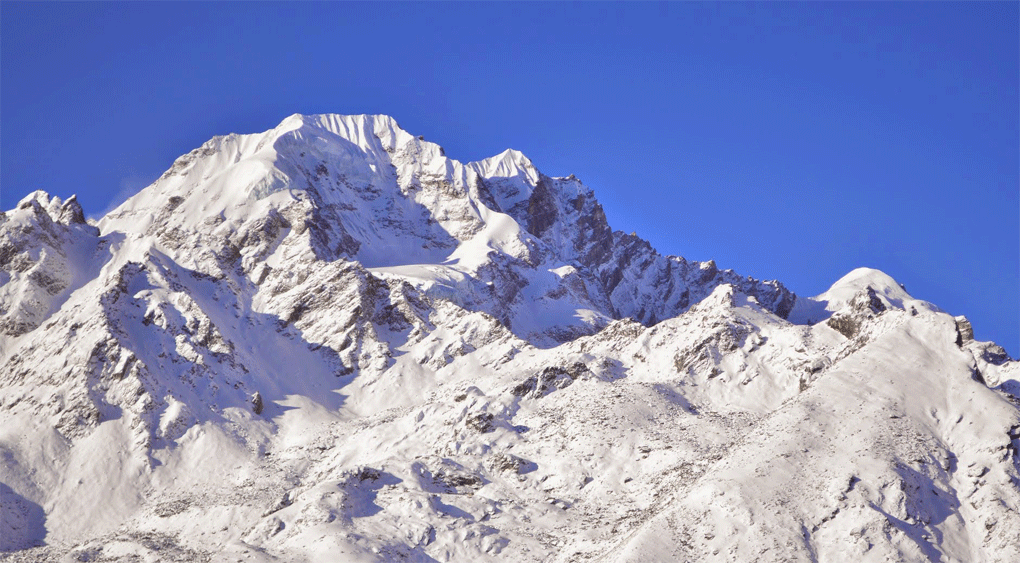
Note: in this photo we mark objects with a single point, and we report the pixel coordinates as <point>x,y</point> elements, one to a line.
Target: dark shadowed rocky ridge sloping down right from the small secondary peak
<point>637,281</point>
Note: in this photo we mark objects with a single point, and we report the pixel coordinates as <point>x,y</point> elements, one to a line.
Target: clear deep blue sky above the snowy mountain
<point>795,141</point>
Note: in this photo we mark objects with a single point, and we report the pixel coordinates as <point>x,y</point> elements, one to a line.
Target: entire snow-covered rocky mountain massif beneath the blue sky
<point>330,342</point>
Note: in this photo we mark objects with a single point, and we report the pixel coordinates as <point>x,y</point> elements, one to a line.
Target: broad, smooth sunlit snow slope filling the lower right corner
<point>839,432</point>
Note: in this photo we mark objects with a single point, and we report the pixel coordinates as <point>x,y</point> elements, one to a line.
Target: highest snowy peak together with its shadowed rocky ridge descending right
<point>498,235</point>
